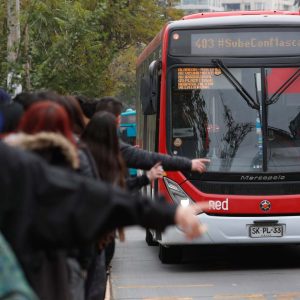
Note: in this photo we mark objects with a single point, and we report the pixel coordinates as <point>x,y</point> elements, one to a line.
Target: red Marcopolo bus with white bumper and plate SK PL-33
<point>226,86</point>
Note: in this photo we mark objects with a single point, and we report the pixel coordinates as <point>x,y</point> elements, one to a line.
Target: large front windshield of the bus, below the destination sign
<point>219,116</point>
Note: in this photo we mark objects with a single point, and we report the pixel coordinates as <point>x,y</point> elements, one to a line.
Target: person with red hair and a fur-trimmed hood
<point>46,129</point>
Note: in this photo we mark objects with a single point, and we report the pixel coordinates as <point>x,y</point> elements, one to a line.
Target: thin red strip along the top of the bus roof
<point>238,13</point>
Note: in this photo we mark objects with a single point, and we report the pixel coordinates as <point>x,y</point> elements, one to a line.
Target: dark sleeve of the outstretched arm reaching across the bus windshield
<point>141,159</point>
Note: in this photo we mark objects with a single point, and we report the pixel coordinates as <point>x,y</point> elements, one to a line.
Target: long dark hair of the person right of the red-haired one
<point>101,137</point>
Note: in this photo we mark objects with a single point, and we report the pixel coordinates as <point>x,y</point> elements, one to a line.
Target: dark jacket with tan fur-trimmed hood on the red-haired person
<point>50,277</point>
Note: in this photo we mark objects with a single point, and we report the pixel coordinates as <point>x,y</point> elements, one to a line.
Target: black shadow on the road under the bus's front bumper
<point>239,257</point>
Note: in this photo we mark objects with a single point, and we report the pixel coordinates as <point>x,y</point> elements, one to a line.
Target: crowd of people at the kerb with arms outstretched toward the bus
<point>66,194</point>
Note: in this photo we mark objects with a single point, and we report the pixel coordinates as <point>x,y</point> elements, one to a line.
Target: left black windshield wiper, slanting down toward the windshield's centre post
<point>240,89</point>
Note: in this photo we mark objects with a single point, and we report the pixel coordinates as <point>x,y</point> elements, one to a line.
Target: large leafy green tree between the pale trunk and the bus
<point>74,42</point>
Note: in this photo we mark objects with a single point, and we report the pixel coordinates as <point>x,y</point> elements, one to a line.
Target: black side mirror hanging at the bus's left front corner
<point>150,89</point>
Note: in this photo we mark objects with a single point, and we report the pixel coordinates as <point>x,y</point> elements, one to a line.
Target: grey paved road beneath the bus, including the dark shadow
<point>255,273</point>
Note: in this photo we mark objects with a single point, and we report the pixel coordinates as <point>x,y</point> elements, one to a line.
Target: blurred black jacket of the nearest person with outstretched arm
<point>42,206</point>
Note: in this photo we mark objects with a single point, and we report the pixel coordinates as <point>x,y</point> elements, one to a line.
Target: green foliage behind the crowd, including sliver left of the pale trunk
<point>84,46</point>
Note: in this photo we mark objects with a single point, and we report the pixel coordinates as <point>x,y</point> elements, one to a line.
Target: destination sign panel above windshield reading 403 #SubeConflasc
<point>236,43</point>
